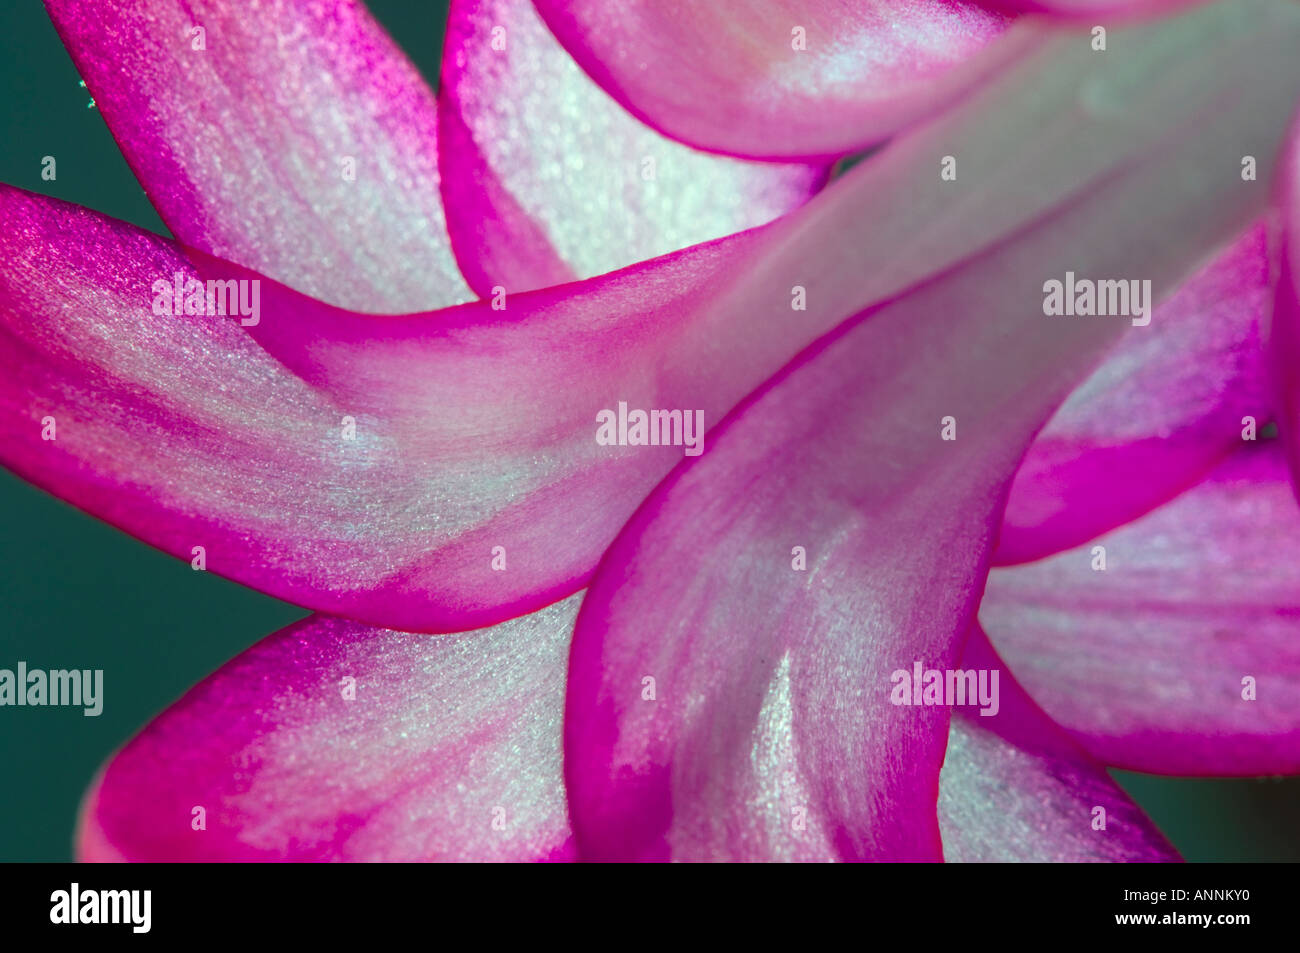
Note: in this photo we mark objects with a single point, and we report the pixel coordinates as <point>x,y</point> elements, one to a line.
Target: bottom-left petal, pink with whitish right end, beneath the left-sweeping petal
<point>335,742</point>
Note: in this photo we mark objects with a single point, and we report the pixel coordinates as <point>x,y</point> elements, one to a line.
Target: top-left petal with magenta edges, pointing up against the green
<point>297,141</point>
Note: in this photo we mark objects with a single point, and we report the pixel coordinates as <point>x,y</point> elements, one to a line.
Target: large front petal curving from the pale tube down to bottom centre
<point>772,685</point>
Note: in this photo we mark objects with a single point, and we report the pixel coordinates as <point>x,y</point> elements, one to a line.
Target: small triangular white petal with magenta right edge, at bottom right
<point>1016,789</point>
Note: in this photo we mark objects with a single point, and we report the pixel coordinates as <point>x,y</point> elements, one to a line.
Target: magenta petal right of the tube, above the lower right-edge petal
<point>1165,408</point>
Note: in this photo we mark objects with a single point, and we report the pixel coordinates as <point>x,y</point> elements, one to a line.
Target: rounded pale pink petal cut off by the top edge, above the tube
<point>733,80</point>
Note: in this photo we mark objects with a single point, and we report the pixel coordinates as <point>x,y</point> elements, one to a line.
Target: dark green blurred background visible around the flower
<point>79,595</point>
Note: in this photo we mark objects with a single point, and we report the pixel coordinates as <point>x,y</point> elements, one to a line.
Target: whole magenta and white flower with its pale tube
<point>656,656</point>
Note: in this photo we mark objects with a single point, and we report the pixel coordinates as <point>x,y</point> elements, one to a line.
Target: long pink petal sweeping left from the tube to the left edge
<point>475,430</point>
